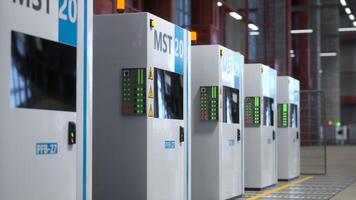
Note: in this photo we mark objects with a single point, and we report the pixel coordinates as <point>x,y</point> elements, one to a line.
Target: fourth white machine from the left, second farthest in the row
<point>260,127</point>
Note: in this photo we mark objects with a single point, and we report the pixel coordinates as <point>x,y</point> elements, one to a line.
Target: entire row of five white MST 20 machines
<point>160,119</point>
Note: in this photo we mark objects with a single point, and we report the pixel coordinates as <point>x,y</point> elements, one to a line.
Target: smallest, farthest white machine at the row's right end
<point>288,131</point>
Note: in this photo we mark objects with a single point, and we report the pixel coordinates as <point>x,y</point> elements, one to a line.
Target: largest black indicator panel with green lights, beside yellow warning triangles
<point>134,91</point>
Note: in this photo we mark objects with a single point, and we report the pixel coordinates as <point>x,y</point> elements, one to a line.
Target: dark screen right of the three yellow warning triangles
<point>168,95</point>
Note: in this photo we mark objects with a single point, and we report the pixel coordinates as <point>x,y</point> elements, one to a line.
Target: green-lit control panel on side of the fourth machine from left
<point>252,111</point>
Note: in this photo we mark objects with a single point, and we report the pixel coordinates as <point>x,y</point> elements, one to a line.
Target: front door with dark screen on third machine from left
<point>230,144</point>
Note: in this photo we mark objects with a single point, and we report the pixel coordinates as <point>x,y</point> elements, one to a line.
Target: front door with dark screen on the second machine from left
<point>166,137</point>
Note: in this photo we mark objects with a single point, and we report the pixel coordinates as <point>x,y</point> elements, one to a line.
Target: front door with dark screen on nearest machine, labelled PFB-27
<point>38,115</point>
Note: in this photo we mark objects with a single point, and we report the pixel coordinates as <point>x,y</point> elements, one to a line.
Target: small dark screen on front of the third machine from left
<point>231,105</point>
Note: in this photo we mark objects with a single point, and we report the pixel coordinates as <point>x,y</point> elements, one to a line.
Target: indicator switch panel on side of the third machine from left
<point>209,103</point>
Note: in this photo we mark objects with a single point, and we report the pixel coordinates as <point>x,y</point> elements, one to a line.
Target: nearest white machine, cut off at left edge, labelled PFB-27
<point>43,51</point>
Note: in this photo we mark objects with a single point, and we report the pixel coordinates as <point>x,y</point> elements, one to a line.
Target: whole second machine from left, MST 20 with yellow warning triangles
<point>141,130</point>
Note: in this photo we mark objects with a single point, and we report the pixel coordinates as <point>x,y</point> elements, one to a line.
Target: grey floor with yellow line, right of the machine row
<point>338,184</point>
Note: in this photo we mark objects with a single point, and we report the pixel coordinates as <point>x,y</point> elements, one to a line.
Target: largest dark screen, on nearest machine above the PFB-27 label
<point>43,74</point>
